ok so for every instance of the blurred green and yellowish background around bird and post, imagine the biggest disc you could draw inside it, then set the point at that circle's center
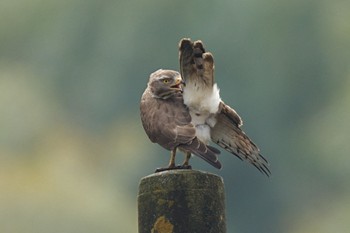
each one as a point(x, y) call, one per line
point(72, 148)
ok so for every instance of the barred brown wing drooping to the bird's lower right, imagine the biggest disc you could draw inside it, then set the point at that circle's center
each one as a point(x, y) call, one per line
point(227, 134)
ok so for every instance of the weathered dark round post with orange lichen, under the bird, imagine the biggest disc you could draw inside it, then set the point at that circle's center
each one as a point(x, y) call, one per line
point(181, 201)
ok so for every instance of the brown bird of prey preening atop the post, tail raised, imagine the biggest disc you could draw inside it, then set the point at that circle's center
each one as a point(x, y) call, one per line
point(188, 113)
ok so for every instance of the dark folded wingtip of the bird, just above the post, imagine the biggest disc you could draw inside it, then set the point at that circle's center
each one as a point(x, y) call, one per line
point(205, 152)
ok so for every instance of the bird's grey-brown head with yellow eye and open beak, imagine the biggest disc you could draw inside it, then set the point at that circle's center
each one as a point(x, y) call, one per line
point(165, 83)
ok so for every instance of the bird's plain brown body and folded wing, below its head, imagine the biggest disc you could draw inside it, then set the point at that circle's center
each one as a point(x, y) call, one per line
point(168, 123)
